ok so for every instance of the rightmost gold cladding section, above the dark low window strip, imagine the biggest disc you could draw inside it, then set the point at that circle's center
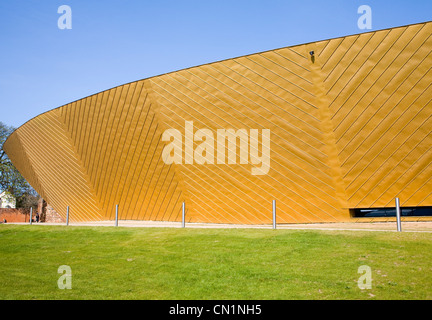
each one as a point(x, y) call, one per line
point(379, 89)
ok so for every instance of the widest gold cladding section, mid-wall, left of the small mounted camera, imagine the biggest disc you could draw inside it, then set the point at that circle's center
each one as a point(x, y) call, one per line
point(252, 92)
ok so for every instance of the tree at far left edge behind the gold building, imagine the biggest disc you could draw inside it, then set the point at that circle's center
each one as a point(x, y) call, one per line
point(10, 178)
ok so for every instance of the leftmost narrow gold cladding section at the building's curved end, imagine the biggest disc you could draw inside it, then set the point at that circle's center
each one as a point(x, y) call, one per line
point(57, 167)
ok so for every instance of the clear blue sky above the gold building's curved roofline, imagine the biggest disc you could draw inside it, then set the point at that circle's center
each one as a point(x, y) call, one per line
point(114, 42)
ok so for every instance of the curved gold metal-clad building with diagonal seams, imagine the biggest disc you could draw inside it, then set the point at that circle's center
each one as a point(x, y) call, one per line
point(322, 128)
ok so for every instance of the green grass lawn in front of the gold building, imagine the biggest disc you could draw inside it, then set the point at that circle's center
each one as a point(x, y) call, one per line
point(171, 263)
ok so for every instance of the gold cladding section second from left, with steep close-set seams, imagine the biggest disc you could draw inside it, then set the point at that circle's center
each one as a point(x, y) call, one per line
point(120, 146)
